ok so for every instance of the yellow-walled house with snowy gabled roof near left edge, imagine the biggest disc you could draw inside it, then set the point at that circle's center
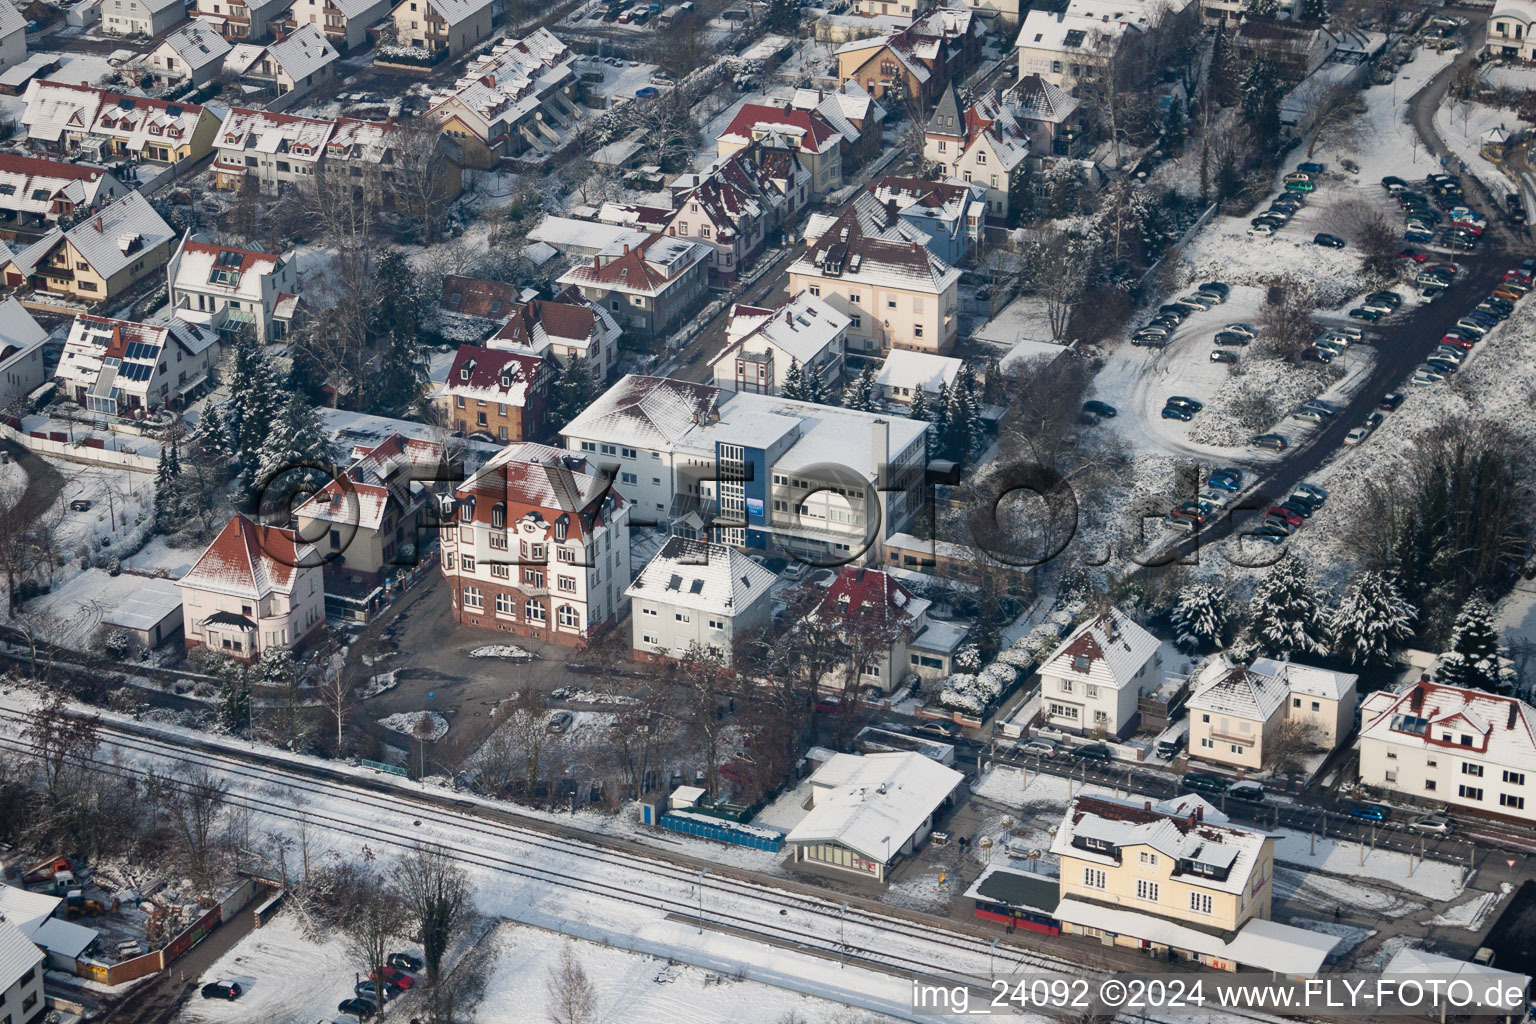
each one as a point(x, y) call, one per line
point(101, 257)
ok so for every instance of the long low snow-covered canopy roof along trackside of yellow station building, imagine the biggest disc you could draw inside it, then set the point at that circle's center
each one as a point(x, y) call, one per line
point(1279, 948)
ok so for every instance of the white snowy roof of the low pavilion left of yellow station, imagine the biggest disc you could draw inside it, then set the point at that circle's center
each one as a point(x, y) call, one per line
point(876, 802)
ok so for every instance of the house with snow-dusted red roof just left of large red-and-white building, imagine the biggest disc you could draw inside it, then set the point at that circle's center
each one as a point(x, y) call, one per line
point(372, 520)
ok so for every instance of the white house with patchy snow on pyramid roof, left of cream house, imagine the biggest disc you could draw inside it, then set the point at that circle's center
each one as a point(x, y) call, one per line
point(1091, 684)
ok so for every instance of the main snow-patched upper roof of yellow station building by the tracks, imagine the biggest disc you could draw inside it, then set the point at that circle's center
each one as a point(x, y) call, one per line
point(1097, 830)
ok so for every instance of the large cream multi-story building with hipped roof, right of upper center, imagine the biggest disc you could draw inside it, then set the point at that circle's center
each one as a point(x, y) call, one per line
point(895, 292)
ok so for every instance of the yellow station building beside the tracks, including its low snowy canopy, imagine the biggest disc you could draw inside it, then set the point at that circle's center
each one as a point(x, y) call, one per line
point(1177, 879)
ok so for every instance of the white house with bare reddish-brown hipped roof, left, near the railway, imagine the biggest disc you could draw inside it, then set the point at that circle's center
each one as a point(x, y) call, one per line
point(256, 589)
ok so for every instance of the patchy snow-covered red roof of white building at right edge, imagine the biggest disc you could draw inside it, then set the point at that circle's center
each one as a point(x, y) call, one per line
point(1431, 716)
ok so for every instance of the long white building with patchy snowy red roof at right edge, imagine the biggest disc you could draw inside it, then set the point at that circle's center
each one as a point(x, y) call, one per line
point(1466, 748)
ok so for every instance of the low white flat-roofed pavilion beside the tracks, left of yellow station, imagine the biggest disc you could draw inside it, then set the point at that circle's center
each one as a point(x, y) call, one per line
point(869, 811)
